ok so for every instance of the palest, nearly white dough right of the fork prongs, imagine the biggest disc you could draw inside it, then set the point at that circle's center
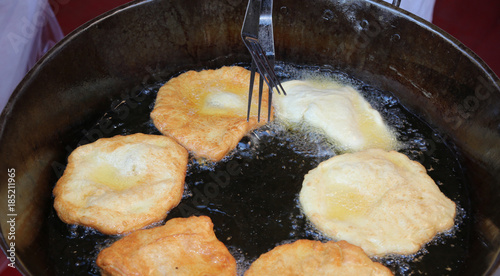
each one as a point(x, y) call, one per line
point(338, 111)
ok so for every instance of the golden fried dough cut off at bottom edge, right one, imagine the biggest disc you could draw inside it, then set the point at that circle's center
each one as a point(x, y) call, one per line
point(306, 257)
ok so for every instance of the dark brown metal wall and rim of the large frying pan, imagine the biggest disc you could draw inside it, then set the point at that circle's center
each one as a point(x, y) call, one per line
point(105, 62)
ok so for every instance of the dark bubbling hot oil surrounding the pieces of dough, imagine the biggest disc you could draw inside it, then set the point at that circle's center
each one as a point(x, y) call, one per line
point(252, 194)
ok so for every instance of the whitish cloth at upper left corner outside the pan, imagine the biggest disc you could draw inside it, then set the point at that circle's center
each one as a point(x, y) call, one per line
point(28, 29)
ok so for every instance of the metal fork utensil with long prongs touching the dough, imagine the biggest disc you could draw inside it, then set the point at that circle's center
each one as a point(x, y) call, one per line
point(257, 34)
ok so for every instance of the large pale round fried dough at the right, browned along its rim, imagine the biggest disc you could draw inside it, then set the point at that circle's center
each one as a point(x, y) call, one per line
point(378, 200)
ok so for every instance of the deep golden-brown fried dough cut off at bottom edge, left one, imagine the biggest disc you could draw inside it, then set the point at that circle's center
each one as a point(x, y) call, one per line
point(183, 246)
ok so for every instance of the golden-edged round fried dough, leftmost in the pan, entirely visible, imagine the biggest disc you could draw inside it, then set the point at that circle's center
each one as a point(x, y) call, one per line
point(123, 183)
